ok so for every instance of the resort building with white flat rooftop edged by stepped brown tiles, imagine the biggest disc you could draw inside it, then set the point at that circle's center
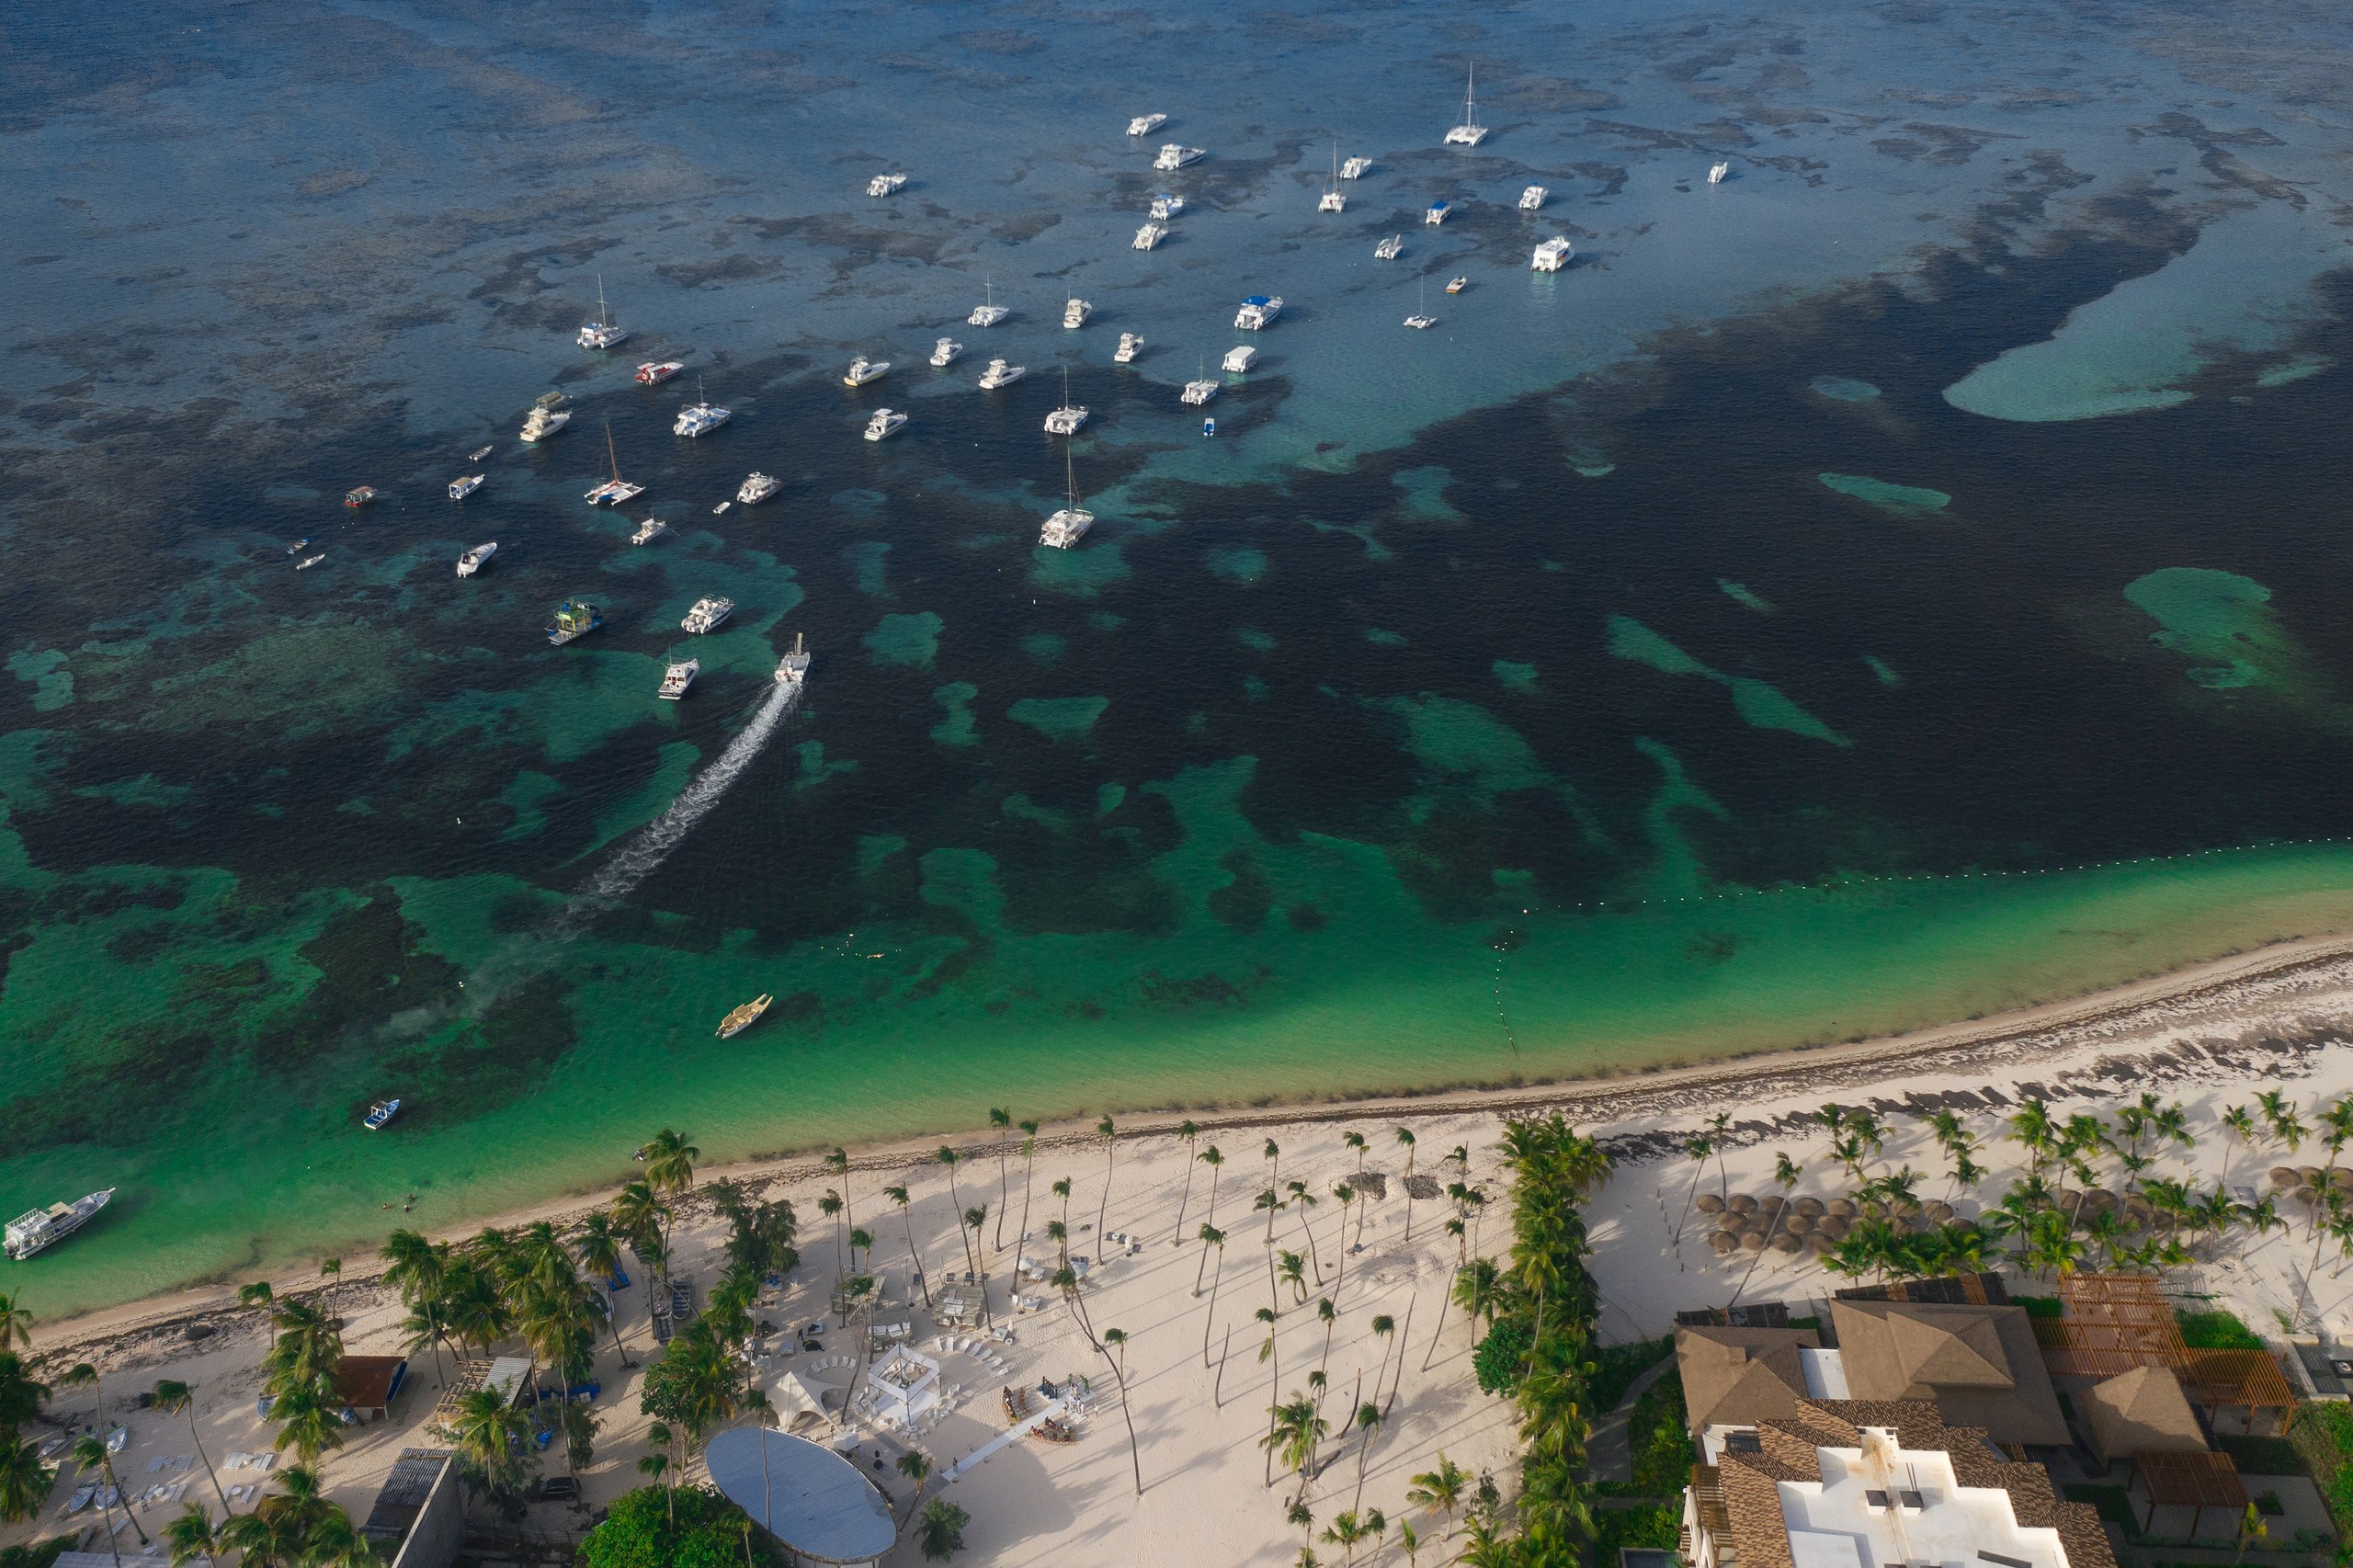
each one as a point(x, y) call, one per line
point(1865, 1484)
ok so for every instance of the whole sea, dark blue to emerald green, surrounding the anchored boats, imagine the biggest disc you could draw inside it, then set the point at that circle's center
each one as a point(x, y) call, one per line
point(1804, 618)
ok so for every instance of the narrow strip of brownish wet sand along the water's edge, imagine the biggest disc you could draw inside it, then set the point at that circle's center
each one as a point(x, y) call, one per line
point(2241, 992)
